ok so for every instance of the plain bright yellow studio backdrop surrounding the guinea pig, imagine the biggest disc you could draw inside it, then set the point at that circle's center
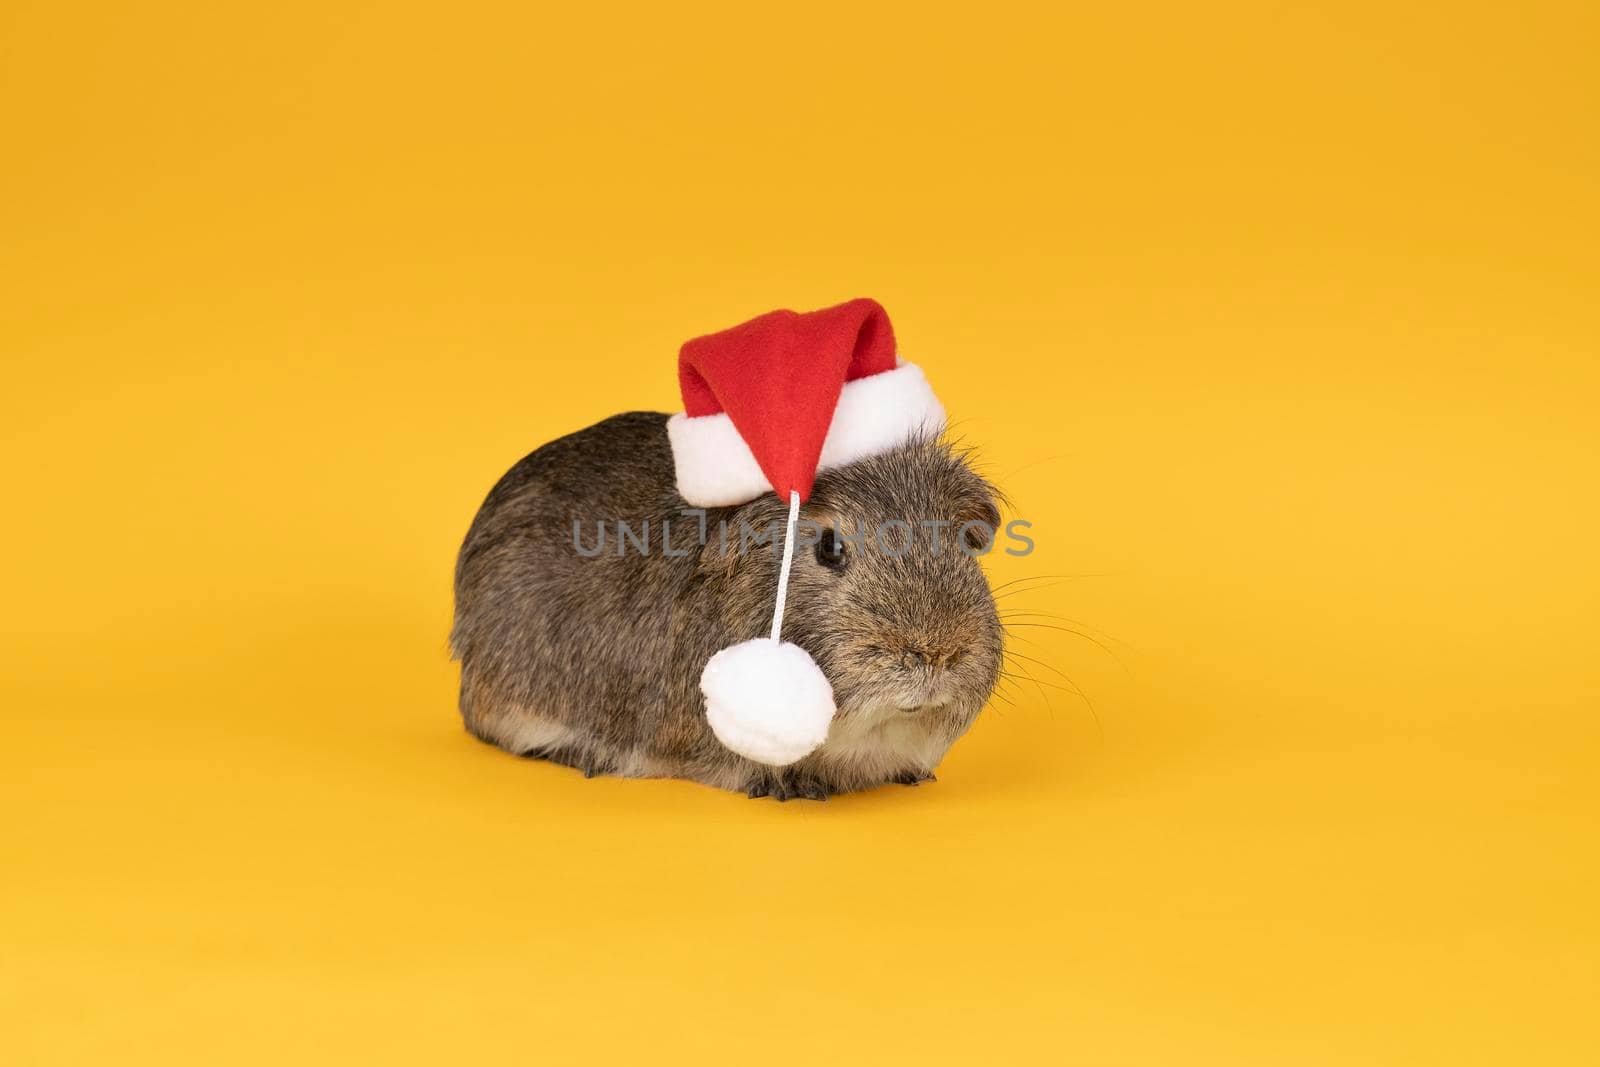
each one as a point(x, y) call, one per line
point(1276, 321)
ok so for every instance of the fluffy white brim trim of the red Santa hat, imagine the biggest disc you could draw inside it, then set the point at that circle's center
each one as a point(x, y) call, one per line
point(718, 470)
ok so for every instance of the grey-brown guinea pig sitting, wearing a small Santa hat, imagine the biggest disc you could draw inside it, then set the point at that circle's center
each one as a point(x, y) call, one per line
point(594, 660)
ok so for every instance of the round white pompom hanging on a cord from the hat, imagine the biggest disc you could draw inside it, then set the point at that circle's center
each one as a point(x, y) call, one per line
point(769, 701)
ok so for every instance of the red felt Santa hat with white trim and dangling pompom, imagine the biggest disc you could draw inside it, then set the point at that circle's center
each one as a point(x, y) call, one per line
point(767, 406)
